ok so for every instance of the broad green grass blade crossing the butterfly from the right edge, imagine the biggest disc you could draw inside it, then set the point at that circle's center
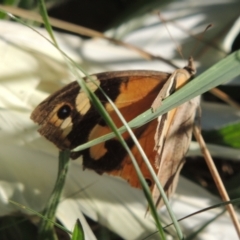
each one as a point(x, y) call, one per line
point(221, 72)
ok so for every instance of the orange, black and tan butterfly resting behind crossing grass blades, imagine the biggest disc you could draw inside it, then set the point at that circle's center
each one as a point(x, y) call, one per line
point(68, 119)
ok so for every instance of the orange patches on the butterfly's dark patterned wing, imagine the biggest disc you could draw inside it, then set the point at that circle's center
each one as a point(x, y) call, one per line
point(135, 97)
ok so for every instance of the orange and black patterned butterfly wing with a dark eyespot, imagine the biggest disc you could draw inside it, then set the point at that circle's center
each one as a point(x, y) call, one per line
point(68, 119)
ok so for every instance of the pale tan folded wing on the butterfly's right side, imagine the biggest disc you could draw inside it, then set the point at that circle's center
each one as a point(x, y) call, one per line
point(173, 135)
